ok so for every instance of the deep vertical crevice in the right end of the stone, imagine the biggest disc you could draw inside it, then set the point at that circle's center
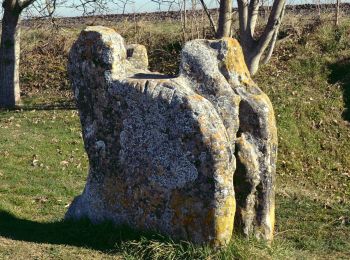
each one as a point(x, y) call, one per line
point(246, 177)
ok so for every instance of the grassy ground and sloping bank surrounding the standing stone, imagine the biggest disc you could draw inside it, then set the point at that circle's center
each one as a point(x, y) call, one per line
point(43, 164)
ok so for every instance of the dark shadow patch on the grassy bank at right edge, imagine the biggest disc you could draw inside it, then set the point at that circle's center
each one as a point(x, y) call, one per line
point(340, 73)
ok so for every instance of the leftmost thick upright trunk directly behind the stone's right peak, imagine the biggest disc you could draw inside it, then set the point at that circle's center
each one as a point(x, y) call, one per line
point(225, 19)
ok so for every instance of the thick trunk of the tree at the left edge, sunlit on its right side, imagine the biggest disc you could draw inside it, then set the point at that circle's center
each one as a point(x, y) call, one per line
point(9, 60)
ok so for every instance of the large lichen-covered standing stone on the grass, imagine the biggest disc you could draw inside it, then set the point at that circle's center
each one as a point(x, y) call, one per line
point(191, 157)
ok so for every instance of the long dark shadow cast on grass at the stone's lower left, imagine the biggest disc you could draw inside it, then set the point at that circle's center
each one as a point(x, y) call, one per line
point(103, 237)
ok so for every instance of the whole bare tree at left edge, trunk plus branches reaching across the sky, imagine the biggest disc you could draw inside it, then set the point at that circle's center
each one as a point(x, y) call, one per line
point(10, 39)
